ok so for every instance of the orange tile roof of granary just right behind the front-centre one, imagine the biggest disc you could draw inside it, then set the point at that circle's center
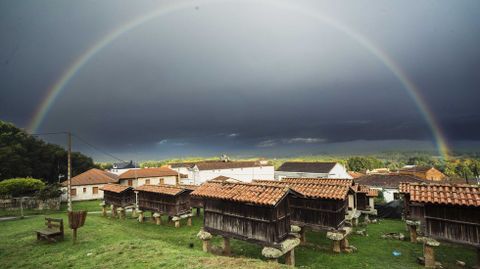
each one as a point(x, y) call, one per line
point(311, 189)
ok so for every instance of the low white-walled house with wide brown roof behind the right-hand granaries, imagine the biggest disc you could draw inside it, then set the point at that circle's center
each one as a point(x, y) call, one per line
point(387, 183)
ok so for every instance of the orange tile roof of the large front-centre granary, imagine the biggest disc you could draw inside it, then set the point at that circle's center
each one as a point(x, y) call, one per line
point(242, 192)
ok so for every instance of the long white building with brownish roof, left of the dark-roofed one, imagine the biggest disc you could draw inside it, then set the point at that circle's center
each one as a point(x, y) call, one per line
point(244, 171)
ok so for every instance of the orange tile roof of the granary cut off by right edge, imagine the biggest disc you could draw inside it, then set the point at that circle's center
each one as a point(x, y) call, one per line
point(465, 195)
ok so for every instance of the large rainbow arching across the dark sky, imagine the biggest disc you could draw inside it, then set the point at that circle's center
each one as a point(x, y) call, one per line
point(60, 85)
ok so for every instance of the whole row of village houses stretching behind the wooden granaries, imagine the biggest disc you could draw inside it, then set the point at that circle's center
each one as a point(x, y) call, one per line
point(88, 185)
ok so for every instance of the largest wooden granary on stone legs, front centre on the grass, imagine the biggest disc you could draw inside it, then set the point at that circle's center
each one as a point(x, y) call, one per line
point(250, 212)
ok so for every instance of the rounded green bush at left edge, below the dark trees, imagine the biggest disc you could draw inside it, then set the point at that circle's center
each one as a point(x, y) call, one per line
point(21, 186)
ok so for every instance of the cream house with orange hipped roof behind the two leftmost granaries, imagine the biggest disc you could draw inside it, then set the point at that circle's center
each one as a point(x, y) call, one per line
point(151, 176)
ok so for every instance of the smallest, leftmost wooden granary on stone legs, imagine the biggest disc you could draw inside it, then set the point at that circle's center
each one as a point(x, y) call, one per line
point(119, 197)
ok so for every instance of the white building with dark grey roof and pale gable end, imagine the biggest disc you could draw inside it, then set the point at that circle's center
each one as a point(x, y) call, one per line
point(311, 170)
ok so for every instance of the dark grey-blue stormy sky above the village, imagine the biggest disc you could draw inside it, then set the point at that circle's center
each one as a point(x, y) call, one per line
point(244, 77)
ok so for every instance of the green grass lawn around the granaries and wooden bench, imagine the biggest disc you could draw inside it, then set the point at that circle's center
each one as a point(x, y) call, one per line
point(109, 243)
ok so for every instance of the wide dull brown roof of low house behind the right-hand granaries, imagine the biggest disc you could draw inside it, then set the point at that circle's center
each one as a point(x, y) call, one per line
point(387, 181)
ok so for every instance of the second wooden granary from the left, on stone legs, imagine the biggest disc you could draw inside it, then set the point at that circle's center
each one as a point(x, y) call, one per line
point(173, 201)
